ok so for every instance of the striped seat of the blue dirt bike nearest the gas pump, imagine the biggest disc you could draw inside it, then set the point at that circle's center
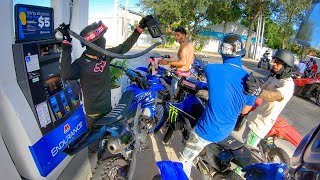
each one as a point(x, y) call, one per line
point(119, 112)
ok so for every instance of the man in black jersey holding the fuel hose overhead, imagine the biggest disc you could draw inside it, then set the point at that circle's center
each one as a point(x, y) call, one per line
point(92, 68)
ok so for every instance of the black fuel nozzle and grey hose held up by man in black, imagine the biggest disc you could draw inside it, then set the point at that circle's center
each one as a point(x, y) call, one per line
point(153, 27)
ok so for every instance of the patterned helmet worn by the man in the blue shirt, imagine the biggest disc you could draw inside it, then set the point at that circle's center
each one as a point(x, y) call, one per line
point(231, 46)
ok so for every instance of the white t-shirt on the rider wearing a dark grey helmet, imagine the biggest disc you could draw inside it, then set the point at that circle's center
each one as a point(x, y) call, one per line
point(264, 116)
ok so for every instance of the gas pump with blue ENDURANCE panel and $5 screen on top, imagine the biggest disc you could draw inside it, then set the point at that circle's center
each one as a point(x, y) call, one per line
point(58, 117)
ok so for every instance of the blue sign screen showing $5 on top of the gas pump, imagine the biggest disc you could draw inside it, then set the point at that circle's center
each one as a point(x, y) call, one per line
point(33, 23)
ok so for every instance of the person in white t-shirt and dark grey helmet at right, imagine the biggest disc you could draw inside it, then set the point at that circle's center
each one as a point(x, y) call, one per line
point(275, 92)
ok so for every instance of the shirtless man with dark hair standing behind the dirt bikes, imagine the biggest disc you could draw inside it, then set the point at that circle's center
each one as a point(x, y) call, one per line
point(185, 57)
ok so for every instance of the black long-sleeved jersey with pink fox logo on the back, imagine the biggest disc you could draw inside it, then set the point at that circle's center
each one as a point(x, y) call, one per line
point(94, 75)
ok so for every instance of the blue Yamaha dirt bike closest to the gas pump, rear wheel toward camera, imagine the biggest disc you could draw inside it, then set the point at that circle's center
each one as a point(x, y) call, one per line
point(125, 128)
